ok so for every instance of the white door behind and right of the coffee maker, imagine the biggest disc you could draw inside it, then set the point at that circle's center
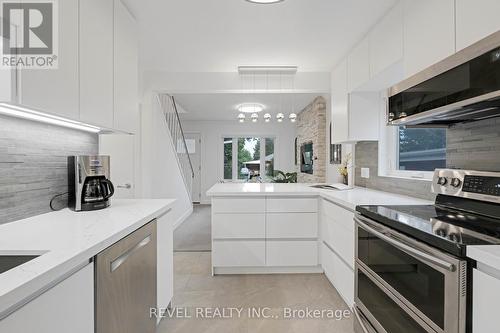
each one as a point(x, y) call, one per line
point(121, 150)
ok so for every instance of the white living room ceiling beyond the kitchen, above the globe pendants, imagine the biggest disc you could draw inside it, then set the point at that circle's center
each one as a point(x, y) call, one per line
point(224, 106)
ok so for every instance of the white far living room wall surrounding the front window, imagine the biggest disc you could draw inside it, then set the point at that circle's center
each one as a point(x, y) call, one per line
point(212, 133)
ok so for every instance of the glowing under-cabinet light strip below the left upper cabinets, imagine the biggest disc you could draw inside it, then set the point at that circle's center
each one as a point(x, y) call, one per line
point(26, 113)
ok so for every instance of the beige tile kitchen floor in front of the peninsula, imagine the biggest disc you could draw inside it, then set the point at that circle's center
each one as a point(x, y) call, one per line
point(195, 287)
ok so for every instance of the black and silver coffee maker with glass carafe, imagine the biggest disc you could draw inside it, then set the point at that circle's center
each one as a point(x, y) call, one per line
point(88, 182)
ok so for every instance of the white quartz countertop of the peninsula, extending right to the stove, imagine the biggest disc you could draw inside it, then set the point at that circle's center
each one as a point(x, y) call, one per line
point(347, 198)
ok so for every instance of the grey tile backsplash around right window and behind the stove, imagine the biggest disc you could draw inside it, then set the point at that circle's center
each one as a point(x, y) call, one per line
point(474, 146)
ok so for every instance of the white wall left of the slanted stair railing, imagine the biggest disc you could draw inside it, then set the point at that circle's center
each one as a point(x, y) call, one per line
point(161, 175)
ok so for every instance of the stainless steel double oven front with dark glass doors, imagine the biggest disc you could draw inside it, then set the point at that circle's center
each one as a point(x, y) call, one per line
point(403, 285)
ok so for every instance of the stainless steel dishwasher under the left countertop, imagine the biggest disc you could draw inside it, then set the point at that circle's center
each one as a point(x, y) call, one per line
point(126, 284)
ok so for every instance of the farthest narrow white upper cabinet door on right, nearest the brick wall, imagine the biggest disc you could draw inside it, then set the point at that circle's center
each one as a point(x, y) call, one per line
point(340, 104)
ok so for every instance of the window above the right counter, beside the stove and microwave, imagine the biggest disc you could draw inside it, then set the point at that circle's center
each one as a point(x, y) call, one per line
point(421, 149)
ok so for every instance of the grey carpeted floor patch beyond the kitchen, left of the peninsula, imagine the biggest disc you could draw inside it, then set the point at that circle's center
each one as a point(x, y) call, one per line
point(195, 233)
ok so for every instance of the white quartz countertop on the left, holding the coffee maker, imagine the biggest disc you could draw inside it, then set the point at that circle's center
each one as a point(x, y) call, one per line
point(67, 239)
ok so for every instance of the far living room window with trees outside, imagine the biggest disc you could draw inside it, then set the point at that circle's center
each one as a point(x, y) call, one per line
point(248, 157)
